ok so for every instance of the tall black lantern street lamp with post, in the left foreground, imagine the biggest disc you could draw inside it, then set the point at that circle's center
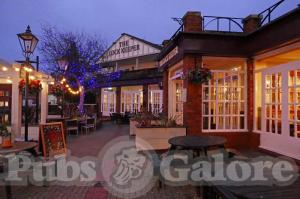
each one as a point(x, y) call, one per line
point(28, 43)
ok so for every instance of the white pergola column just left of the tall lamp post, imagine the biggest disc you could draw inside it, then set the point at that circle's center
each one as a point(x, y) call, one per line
point(16, 108)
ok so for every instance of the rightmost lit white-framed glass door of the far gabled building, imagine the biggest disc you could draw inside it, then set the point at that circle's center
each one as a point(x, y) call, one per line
point(155, 101)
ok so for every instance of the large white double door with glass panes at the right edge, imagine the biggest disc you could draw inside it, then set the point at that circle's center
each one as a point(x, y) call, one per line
point(281, 109)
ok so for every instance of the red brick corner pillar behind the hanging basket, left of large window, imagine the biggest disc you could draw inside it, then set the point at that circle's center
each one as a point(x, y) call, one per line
point(192, 108)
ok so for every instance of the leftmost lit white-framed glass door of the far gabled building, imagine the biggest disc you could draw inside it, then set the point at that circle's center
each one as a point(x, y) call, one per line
point(108, 103)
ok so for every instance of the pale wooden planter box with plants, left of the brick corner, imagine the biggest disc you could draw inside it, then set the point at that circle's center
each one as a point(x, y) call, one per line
point(157, 137)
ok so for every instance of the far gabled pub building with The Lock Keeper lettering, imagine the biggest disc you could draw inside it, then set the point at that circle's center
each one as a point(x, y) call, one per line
point(134, 79)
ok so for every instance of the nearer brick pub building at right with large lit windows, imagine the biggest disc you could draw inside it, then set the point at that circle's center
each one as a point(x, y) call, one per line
point(253, 96)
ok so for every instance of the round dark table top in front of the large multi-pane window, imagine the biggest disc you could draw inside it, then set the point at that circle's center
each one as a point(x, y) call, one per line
point(197, 143)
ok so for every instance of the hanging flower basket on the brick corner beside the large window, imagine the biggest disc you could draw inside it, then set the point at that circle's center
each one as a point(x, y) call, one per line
point(200, 75)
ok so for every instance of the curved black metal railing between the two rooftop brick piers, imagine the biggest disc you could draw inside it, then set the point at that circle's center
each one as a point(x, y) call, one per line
point(224, 24)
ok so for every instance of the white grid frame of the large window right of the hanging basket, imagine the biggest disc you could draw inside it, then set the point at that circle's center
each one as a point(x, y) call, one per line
point(209, 115)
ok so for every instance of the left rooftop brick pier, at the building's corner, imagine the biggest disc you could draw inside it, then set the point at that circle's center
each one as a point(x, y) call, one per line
point(192, 22)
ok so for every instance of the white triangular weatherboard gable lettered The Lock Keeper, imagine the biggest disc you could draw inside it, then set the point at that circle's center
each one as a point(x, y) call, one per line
point(127, 47)
